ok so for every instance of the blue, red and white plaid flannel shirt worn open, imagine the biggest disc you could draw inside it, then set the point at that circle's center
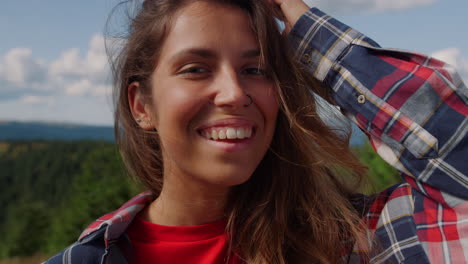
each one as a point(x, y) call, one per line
point(414, 110)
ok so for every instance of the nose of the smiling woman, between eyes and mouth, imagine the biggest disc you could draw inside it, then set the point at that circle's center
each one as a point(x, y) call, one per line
point(230, 91)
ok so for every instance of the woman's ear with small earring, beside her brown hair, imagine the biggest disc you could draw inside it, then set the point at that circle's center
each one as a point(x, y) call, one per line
point(140, 110)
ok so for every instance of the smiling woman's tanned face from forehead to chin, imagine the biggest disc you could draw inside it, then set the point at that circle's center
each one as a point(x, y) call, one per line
point(208, 63)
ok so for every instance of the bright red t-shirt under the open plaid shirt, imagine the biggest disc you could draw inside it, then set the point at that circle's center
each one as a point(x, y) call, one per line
point(179, 244)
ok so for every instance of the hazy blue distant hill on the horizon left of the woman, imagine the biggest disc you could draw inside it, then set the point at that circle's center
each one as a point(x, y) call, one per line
point(12, 130)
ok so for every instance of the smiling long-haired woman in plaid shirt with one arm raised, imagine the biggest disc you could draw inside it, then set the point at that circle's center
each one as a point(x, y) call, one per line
point(216, 117)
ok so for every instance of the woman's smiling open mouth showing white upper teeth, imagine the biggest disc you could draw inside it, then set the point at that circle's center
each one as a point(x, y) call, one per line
point(227, 134)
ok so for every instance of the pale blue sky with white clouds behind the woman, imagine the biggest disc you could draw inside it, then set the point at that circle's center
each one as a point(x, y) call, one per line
point(53, 65)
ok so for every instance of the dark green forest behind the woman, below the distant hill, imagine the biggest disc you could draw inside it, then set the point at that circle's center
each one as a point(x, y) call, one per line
point(51, 190)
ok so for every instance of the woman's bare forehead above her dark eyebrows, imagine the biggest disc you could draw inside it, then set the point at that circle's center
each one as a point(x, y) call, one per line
point(209, 25)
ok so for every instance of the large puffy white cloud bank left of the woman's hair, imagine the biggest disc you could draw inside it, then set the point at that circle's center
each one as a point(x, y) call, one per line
point(71, 73)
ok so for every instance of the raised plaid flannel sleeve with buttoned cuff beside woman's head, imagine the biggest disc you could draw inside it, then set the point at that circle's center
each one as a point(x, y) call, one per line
point(412, 107)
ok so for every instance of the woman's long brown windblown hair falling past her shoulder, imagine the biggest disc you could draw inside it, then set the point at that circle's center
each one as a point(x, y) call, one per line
point(296, 206)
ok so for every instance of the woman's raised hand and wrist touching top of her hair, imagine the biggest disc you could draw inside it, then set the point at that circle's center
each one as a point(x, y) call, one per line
point(289, 11)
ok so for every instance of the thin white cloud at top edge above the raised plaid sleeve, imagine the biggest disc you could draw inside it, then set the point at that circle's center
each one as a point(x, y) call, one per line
point(353, 6)
